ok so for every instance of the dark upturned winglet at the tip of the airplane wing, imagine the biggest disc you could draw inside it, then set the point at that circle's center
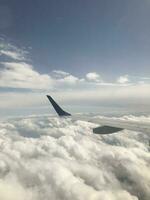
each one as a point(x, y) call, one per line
point(57, 108)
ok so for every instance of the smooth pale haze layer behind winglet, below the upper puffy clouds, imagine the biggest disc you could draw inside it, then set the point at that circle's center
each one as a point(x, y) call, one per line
point(133, 98)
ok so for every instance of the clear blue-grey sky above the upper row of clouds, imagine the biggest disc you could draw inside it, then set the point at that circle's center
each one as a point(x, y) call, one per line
point(110, 37)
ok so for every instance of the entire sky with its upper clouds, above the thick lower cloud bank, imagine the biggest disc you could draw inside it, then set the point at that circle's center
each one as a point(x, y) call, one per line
point(85, 53)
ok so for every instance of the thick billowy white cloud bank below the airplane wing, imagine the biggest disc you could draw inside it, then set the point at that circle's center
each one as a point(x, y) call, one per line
point(44, 158)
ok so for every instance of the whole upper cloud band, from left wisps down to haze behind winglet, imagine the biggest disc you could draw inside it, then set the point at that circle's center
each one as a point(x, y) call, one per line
point(18, 76)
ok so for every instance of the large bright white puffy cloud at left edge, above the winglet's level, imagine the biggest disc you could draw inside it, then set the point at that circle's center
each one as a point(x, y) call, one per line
point(22, 75)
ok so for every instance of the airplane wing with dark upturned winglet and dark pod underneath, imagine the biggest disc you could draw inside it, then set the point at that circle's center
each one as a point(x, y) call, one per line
point(107, 125)
